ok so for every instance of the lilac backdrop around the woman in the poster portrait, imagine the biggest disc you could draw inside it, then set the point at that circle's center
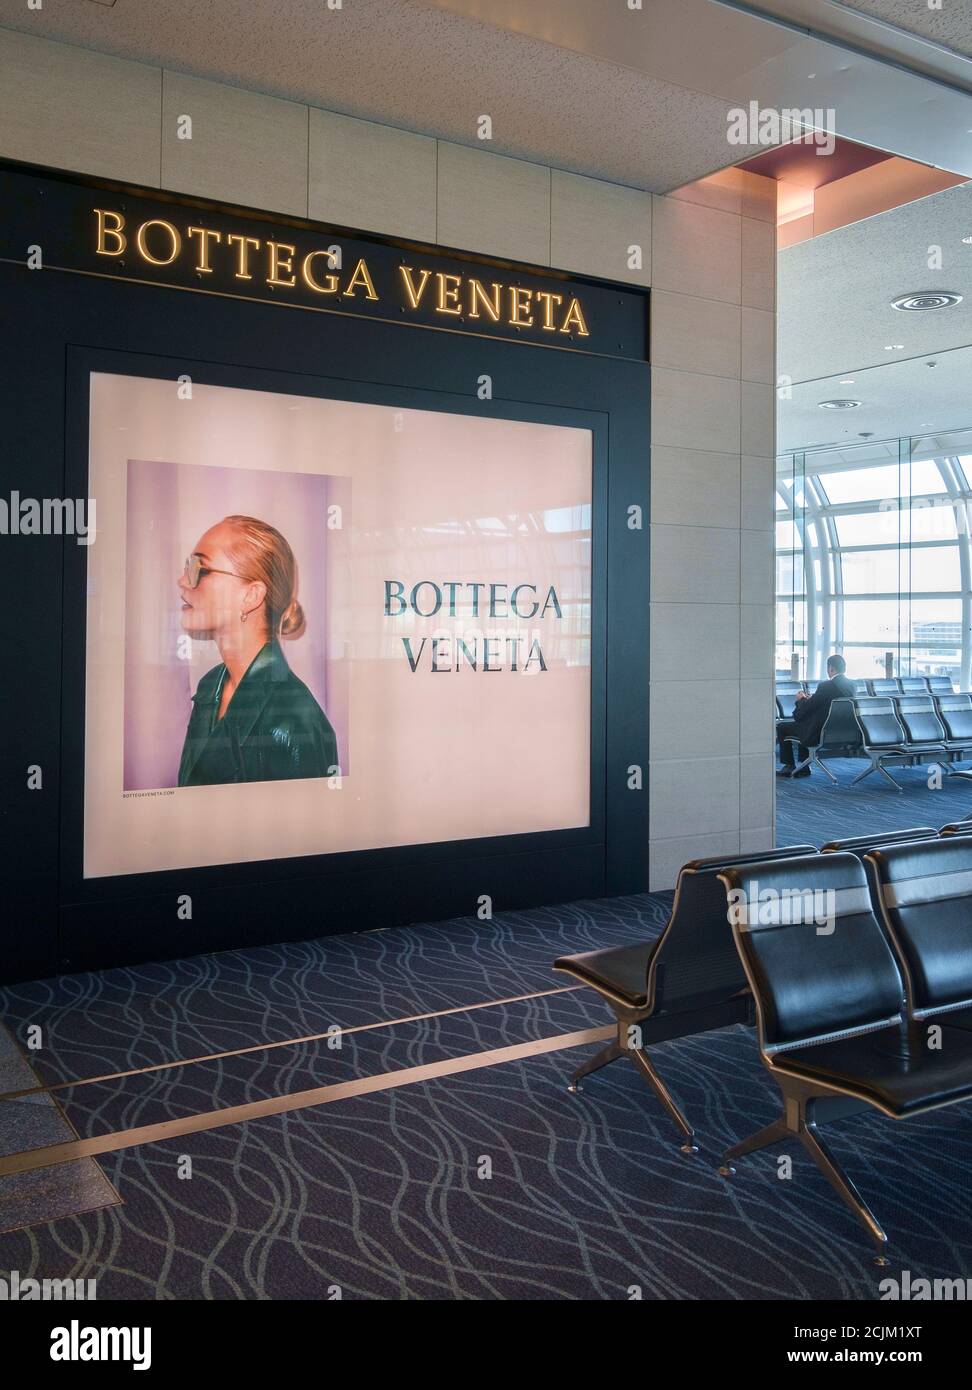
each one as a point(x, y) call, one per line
point(170, 505)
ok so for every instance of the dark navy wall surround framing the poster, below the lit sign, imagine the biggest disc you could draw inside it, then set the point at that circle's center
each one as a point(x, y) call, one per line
point(60, 327)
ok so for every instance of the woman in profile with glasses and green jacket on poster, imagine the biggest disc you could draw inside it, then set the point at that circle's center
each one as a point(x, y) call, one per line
point(252, 719)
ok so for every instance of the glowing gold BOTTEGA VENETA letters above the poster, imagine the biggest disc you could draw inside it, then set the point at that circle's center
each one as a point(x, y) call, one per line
point(283, 265)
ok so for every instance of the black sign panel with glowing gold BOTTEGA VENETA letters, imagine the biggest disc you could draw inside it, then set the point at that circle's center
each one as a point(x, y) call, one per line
point(173, 245)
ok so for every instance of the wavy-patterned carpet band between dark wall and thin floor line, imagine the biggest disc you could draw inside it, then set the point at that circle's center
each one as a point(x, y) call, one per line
point(138, 1017)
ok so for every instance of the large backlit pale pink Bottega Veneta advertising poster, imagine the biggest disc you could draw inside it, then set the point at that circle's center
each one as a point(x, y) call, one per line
point(319, 626)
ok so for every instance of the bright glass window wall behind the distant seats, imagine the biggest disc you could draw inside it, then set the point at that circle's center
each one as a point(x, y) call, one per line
point(874, 559)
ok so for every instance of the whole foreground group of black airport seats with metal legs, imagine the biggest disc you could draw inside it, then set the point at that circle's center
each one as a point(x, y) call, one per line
point(853, 961)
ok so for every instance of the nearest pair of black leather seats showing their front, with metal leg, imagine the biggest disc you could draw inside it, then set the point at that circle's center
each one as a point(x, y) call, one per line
point(839, 1028)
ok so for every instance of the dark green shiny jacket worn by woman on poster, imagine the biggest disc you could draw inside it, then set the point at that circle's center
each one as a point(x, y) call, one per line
point(273, 728)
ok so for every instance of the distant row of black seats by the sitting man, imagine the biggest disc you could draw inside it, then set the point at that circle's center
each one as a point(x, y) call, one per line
point(893, 730)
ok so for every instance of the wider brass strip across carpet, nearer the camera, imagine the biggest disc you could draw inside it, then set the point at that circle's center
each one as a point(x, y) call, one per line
point(297, 1102)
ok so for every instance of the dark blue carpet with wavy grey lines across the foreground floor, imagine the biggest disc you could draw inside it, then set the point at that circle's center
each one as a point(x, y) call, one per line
point(496, 1184)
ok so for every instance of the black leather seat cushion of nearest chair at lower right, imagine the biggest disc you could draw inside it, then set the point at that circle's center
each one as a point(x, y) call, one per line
point(885, 1070)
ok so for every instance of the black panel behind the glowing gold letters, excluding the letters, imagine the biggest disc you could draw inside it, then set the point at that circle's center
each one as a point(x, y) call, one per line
point(63, 208)
